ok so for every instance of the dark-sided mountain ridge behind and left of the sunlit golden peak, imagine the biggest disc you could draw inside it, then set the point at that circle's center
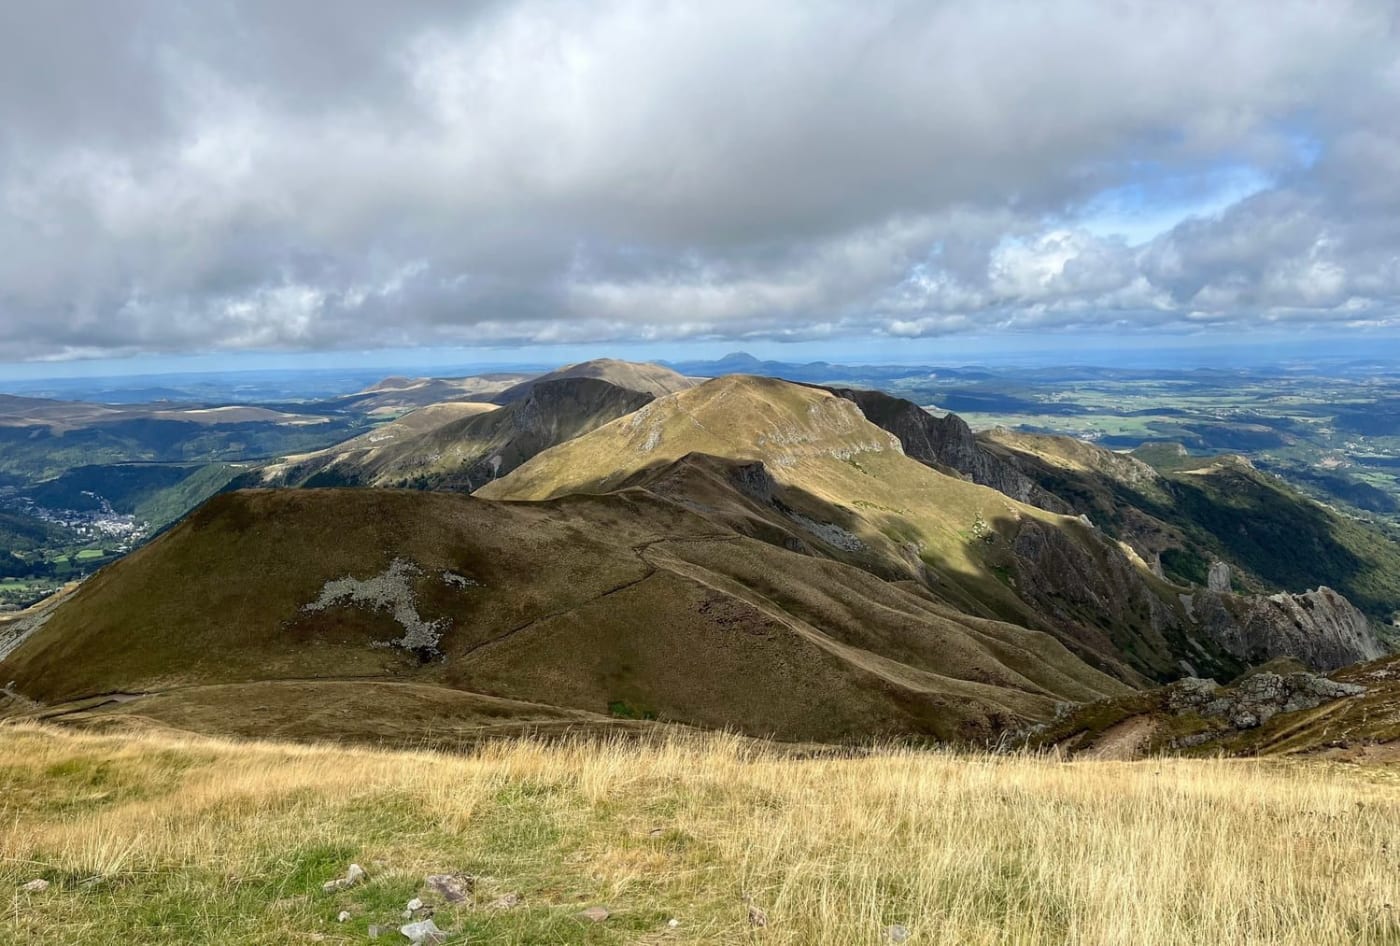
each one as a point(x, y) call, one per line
point(461, 446)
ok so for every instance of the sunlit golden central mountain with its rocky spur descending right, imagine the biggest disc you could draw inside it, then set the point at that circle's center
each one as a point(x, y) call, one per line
point(824, 478)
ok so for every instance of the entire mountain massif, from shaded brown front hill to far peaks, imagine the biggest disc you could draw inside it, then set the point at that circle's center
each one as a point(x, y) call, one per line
point(817, 563)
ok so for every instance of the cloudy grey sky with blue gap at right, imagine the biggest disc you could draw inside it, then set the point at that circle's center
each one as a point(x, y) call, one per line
point(267, 183)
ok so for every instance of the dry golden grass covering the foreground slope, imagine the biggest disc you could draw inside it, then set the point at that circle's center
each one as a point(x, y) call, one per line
point(156, 839)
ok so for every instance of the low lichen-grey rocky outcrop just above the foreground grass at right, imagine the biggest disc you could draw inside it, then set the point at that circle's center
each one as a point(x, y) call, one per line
point(1256, 699)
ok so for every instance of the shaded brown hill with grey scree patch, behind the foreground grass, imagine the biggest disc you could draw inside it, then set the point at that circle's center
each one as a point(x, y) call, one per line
point(624, 605)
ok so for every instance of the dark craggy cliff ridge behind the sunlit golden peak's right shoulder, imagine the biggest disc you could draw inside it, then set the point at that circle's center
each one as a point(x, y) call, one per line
point(948, 442)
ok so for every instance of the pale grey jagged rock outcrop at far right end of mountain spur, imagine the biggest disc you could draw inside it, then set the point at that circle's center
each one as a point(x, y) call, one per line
point(1319, 628)
